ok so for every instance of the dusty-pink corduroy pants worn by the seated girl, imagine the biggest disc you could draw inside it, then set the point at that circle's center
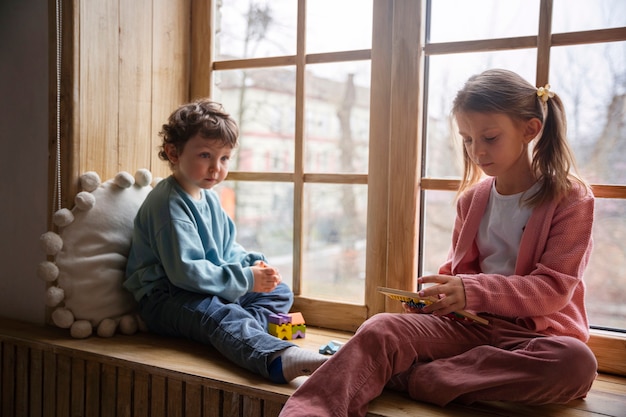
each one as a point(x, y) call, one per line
point(446, 361)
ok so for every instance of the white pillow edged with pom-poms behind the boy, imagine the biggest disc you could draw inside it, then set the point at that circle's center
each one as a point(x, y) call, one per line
point(90, 253)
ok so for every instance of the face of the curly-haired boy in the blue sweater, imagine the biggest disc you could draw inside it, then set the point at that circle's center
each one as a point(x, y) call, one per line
point(202, 164)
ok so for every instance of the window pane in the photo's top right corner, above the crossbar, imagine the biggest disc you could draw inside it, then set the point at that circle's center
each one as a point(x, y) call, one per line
point(579, 15)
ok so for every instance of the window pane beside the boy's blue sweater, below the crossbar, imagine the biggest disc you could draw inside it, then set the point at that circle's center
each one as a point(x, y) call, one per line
point(263, 214)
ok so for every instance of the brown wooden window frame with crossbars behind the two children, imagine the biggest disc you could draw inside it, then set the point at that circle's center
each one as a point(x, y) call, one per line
point(397, 90)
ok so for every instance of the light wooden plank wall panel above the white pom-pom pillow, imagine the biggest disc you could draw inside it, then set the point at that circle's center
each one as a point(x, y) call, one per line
point(129, 70)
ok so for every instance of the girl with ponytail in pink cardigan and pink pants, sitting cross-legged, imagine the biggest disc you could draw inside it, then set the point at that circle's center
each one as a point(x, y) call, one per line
point(521, 241)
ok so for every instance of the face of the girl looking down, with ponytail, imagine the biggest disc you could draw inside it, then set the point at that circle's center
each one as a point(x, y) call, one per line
point(498, 144)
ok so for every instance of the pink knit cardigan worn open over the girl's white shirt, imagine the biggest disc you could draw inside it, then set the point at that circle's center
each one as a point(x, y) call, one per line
point(547, 292)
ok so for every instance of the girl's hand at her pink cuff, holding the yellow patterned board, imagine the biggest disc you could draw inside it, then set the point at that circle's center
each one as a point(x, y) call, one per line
point(450, 291)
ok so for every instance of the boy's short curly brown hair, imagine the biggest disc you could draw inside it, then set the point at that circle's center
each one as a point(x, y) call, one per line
point(204, 117)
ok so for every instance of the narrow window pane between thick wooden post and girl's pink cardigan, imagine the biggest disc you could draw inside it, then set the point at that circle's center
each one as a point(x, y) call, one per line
point(439, 214)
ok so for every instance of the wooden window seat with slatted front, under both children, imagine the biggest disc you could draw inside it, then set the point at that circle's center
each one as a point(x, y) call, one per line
point(44, 372)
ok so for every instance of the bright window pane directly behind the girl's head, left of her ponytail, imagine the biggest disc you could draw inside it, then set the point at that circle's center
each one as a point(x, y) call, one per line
point(447, 74)
